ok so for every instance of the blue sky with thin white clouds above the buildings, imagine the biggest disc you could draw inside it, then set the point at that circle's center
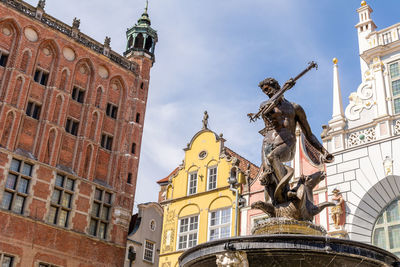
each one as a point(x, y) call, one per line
point(211, 56)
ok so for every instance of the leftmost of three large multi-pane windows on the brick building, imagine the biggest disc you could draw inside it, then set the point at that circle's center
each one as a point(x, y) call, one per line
point(17, 186)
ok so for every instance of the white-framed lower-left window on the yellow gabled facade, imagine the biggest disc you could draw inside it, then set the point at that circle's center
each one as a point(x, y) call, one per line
point(188, 228)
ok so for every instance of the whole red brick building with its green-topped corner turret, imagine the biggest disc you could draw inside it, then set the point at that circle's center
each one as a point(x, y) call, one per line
point(71, 123)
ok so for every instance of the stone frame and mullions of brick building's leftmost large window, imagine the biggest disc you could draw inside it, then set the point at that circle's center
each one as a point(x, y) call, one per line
point(16, 190)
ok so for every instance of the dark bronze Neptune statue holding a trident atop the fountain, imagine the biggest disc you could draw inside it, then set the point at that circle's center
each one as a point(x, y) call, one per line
point(281, 118)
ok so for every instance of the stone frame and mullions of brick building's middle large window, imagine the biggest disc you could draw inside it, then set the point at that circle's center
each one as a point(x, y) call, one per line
point(60, 207)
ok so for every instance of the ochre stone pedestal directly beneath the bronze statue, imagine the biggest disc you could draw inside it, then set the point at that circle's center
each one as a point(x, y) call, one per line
point(287, 226)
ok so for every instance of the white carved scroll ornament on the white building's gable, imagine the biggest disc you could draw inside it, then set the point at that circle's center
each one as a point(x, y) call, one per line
point(362, 99)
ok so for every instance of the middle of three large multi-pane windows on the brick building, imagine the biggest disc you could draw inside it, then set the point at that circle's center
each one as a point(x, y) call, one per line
point(61, 200)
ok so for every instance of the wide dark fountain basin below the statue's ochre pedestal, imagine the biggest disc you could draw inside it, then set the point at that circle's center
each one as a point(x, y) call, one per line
point(286, 251)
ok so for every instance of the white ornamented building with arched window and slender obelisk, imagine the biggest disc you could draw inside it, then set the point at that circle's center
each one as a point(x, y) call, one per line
point(365, 139)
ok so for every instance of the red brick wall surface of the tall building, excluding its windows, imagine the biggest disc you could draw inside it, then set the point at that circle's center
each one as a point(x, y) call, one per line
point(30, 237)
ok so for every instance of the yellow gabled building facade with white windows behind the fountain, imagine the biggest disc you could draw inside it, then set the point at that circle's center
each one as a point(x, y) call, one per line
point(199, 204)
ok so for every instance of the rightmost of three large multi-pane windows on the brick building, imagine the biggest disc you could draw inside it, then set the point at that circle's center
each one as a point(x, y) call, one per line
point(101, 211)
